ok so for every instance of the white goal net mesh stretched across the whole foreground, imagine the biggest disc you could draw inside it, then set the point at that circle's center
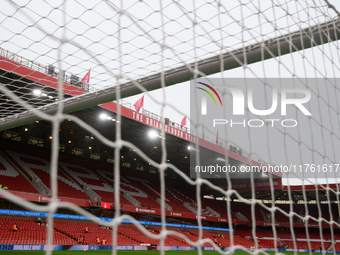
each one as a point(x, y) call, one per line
point(136, 46)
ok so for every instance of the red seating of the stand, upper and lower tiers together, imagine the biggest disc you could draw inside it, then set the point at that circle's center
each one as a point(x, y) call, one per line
point(18, 170)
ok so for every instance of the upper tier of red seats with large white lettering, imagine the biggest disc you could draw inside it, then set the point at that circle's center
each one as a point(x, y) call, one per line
point(17, 170)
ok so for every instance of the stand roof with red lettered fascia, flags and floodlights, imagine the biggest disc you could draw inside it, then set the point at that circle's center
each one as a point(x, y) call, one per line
point(37, 85)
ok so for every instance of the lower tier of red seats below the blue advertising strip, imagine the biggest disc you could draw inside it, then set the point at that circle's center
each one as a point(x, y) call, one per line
point(67, 233)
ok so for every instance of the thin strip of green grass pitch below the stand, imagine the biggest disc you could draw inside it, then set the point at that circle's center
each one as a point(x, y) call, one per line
point(131, 252)
